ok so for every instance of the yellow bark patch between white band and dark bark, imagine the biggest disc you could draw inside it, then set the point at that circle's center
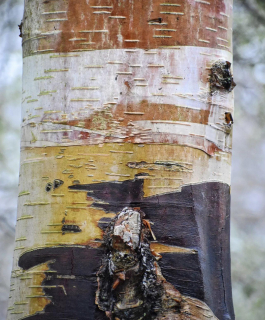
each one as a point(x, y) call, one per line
point(51, 206)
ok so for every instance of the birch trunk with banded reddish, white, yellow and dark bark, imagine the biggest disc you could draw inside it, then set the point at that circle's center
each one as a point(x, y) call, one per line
point(124, 200)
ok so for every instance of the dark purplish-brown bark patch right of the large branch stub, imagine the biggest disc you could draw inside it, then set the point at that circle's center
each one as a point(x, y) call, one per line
point(195, 218)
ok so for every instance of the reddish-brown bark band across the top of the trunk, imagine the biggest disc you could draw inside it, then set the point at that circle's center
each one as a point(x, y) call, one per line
point(71, 26)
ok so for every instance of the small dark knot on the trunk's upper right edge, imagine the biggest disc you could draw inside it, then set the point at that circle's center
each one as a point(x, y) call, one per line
point(221, 77)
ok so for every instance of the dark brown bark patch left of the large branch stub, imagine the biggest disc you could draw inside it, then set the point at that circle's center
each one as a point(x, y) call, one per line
point(74, 268)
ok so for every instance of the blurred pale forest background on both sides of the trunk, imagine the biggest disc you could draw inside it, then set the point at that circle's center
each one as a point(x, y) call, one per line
point(248, 169)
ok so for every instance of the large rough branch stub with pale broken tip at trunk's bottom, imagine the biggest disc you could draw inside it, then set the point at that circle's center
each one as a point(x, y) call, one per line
point(130, 283)
